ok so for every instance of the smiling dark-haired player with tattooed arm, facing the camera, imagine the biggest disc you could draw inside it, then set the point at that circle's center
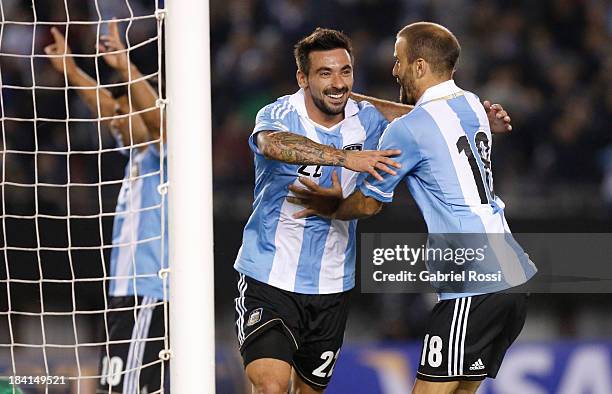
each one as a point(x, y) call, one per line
point(295, 275)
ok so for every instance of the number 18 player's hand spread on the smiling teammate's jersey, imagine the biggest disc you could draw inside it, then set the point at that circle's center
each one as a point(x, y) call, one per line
point(316, 200)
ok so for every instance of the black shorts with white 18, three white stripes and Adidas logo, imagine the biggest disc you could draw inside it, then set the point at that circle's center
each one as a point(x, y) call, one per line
point(467, 338)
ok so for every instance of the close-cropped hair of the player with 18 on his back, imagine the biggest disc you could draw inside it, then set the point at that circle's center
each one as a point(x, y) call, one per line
point(432, 42)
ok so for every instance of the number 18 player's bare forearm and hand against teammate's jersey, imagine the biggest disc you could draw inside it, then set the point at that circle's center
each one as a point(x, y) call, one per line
point(328, 202)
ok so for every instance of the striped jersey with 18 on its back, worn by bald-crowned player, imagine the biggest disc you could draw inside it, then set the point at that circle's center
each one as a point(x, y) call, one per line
point(446, 163)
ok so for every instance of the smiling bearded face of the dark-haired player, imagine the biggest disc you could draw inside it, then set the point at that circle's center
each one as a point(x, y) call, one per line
point(329, 81)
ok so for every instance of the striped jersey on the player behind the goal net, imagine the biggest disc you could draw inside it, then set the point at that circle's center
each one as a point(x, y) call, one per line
point(137, 236)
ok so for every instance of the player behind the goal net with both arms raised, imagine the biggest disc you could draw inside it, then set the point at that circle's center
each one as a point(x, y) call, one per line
point(138, 218)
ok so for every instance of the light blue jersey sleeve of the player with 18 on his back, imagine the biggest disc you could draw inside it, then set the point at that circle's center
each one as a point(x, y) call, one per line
point(396, 136)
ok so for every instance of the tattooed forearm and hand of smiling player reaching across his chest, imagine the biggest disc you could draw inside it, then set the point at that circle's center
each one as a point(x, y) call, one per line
point(296, 149)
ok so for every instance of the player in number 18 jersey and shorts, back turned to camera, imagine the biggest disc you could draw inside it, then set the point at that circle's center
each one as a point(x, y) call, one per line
point(446, 143)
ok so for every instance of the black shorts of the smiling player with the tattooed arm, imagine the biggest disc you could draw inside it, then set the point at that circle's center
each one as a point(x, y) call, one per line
point(311, 328)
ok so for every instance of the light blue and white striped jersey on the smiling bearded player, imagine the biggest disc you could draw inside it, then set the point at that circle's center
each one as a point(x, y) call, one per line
point(313, 255)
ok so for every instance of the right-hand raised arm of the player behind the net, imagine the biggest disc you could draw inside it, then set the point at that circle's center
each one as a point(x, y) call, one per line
point(142, 93)
